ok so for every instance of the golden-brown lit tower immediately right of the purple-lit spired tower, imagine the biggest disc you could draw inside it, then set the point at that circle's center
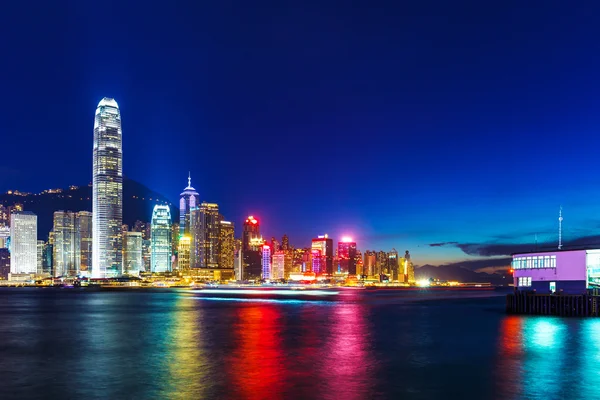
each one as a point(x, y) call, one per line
point(205, 224)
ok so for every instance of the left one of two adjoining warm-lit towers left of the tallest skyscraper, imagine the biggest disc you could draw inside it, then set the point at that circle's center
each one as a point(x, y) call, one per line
point(64, 243)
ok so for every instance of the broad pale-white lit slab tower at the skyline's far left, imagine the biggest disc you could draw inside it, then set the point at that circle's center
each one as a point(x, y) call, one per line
point(23, 236)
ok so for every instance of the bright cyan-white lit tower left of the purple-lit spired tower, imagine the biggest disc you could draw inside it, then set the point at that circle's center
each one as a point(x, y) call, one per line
point(161, 239)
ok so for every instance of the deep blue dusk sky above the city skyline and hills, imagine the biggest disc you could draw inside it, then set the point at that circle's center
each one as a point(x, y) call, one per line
point(402, 124)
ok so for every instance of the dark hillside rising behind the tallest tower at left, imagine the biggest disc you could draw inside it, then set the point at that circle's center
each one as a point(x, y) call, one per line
point(138, 202)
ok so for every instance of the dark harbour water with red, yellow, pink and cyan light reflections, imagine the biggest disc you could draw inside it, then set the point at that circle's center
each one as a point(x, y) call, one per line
point(179, 345)
